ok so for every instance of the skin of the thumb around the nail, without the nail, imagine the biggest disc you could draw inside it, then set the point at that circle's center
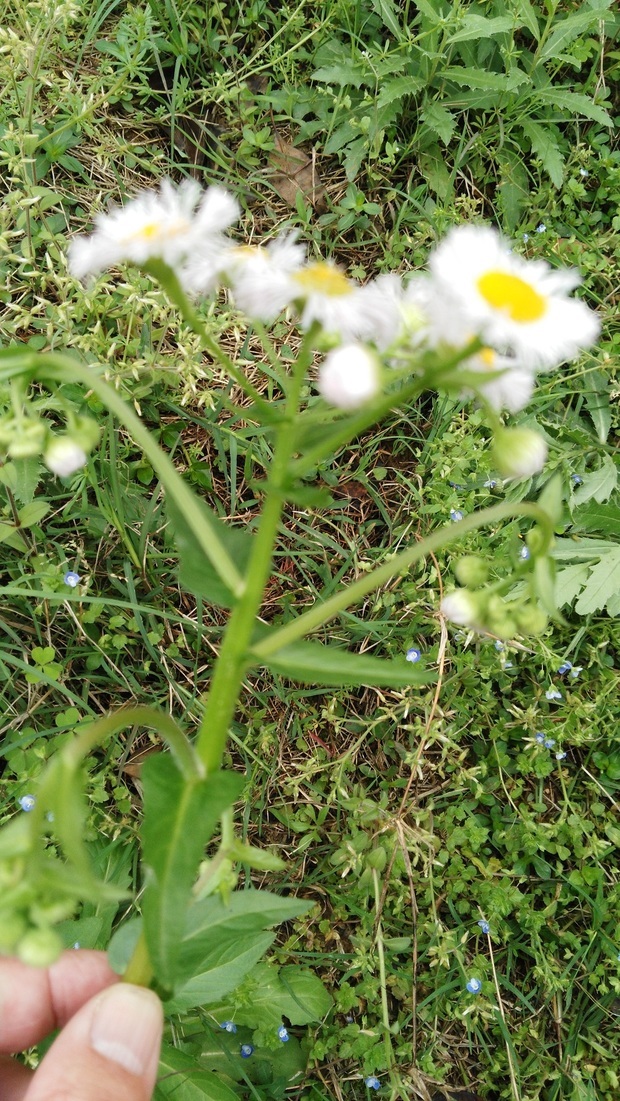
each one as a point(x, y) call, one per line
point(72, 1071)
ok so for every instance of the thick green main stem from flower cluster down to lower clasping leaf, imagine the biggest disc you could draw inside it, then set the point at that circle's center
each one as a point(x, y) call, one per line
point(234, 656)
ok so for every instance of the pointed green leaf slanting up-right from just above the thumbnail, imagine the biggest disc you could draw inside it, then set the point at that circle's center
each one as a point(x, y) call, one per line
point(217, 971)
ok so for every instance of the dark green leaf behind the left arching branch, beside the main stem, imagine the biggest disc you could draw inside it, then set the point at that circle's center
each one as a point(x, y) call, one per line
point(197, 573)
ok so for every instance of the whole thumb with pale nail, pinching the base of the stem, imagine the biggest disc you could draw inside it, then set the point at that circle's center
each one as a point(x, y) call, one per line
point(108, 1051)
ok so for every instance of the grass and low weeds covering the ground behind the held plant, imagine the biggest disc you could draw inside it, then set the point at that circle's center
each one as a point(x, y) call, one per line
point(439, 837)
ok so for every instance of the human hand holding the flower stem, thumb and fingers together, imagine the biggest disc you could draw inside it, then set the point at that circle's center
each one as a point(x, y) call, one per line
point(108, 1049)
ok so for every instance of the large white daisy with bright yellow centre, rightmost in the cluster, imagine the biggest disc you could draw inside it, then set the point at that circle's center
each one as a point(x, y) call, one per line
point(512, 303)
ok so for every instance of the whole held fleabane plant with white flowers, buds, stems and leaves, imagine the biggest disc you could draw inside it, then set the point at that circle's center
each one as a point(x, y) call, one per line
point(481, 323)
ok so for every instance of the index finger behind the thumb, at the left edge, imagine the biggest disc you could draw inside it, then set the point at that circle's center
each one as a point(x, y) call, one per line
point(37, 1001)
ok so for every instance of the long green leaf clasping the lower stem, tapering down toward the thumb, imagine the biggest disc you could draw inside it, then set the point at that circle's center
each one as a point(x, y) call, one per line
point(180, 819)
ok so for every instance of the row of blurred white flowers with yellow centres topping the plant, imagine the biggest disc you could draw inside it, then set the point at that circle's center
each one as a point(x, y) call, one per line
point(476, 289)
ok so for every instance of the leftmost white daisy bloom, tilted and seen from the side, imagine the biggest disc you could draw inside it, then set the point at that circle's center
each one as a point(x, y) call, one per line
point(168, 225)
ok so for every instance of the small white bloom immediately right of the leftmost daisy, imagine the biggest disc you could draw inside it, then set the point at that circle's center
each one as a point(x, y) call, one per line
point(262, 278)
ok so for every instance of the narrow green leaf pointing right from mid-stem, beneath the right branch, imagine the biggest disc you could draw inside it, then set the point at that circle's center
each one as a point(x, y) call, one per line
point(314, 663)
